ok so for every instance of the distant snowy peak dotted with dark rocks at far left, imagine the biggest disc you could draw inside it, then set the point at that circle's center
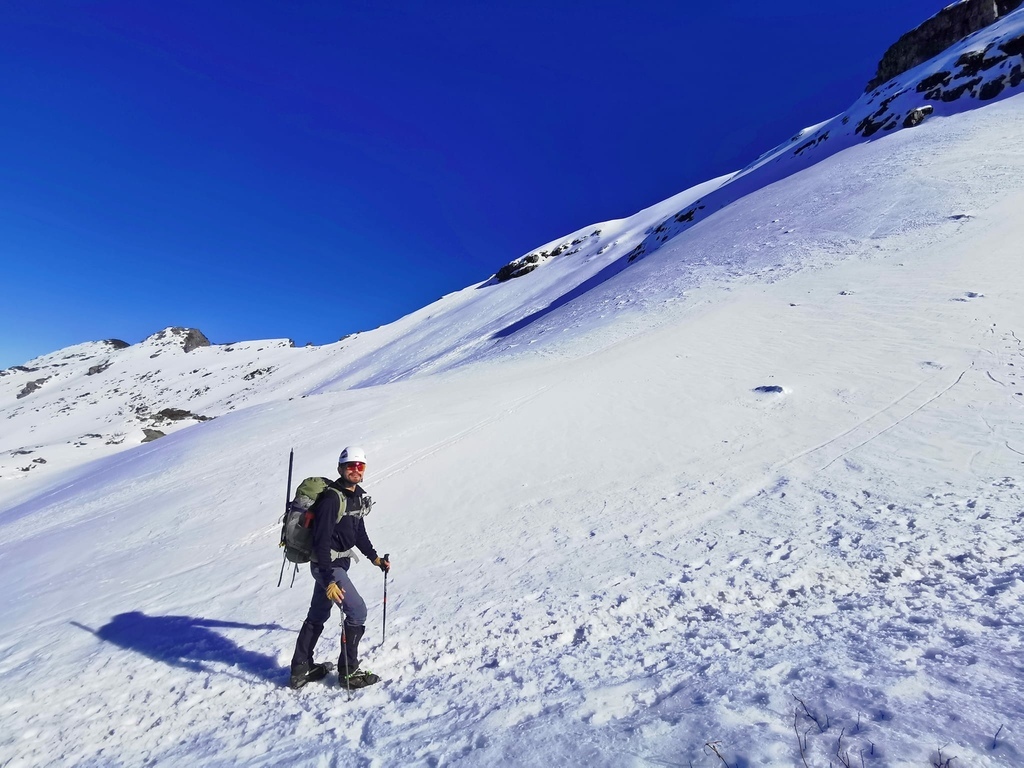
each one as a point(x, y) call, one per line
point(99, 398)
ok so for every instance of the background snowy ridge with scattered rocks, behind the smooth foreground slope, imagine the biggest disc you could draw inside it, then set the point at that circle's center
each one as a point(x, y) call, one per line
point(99, 400)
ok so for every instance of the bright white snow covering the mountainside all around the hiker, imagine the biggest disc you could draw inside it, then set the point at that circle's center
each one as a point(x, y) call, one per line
point(754, 499)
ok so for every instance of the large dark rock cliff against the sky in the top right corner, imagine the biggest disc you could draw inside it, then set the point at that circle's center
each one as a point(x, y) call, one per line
point(938, 33)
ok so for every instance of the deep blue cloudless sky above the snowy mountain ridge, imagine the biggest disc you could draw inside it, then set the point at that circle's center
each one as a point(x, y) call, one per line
point(307, 169)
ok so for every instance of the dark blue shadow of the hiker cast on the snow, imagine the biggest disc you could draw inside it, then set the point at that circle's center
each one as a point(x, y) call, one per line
point(188, 643)
